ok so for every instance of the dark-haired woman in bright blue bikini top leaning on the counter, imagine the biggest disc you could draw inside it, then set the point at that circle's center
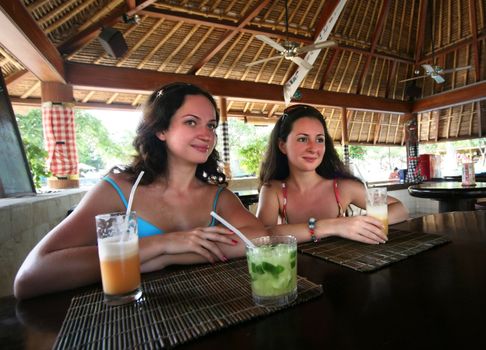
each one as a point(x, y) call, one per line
point(182, 183)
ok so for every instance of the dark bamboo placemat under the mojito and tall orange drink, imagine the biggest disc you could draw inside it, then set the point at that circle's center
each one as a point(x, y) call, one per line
point(177, 307)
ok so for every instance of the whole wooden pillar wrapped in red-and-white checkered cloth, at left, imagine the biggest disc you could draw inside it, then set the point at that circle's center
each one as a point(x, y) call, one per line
point(60, 134)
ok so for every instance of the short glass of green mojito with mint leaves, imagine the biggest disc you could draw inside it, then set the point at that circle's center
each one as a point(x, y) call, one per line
point(272, 264)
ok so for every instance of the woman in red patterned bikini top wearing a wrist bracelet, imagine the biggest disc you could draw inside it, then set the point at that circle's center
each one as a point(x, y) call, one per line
point(306, 189)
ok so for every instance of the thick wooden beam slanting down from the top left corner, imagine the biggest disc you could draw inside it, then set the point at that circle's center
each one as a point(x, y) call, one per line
point(23, 38)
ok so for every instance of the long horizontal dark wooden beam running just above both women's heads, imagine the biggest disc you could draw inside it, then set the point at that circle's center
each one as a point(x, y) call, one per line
point(130, 80)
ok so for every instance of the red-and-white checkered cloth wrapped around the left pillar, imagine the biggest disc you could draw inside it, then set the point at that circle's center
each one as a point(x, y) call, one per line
point(60, 138)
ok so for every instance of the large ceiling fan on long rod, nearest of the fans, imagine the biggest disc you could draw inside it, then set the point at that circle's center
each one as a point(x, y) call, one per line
point(288, 49)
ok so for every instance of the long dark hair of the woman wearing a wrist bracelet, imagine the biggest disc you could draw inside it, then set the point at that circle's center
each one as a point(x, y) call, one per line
point(275, 165)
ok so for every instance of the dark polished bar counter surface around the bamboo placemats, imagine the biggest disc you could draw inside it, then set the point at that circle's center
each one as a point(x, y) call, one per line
point(432, 300)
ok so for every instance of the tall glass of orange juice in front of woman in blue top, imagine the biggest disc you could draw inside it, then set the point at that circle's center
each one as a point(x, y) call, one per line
point(119, 258)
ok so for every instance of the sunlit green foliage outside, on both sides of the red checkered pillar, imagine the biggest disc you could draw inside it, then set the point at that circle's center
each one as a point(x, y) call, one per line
point(94, 143)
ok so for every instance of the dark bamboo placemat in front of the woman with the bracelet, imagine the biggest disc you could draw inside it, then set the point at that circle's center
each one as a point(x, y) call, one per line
point(369, 257)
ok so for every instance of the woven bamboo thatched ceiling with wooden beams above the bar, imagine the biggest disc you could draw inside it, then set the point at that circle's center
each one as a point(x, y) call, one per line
point(357, 84)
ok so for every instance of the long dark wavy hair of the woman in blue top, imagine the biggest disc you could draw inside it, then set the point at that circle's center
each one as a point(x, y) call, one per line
point(151, 155)
